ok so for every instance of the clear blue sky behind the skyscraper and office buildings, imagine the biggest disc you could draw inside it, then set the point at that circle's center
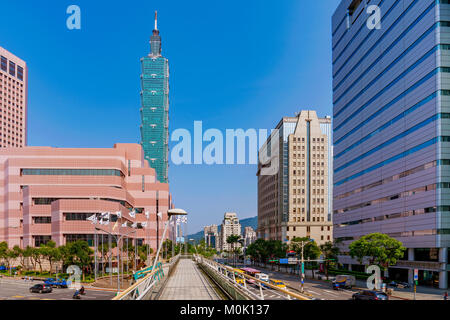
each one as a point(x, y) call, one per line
point(234, 64)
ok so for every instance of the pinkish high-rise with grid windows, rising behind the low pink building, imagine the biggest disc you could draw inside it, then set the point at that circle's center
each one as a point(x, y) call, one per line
point(13, 100)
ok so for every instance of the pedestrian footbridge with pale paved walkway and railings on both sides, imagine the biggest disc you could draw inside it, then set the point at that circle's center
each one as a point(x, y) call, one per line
point(197, 278)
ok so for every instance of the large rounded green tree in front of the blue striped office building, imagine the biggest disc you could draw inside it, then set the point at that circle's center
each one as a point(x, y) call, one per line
point(379, 248)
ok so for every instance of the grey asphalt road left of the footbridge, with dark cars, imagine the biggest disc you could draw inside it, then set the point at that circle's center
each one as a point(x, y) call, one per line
point(20, 290)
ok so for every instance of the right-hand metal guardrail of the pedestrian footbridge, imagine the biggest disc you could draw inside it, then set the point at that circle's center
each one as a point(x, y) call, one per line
point(231, 277)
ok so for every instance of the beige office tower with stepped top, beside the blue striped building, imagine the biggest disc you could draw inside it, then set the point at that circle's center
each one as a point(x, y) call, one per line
point(296, 200)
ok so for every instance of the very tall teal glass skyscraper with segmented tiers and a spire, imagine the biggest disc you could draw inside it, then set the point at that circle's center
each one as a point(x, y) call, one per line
point(155, 107)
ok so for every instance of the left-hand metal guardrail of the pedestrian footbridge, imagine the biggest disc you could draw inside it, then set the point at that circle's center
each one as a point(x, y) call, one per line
point(142, 288)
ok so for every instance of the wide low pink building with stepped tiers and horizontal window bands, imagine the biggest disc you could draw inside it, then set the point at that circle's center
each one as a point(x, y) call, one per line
point(48, 193)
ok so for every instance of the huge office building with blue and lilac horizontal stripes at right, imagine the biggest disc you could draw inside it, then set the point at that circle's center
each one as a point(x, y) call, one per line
point(391, 94)
